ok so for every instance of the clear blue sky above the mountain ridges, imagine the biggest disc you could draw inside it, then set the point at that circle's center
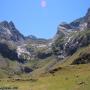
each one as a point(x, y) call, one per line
point(30, 17)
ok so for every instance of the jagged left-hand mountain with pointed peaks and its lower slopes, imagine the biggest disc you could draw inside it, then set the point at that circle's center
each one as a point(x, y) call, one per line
point(17, 51)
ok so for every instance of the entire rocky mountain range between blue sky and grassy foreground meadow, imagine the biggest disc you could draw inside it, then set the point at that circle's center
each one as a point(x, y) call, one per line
point(29, 54)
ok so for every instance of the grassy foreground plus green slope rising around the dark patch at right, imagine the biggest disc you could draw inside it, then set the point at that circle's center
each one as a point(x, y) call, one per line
point(63, 76)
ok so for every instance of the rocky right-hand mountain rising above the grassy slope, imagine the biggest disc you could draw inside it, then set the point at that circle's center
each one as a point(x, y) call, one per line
point(70, 37)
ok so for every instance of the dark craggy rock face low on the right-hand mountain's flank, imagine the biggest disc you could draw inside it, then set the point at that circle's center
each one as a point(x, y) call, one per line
point(76, 42)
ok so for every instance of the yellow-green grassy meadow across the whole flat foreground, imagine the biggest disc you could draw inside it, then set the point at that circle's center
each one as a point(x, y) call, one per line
point(73, 77)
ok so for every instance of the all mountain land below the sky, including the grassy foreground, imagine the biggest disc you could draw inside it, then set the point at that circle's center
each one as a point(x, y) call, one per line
point(63, 60)
